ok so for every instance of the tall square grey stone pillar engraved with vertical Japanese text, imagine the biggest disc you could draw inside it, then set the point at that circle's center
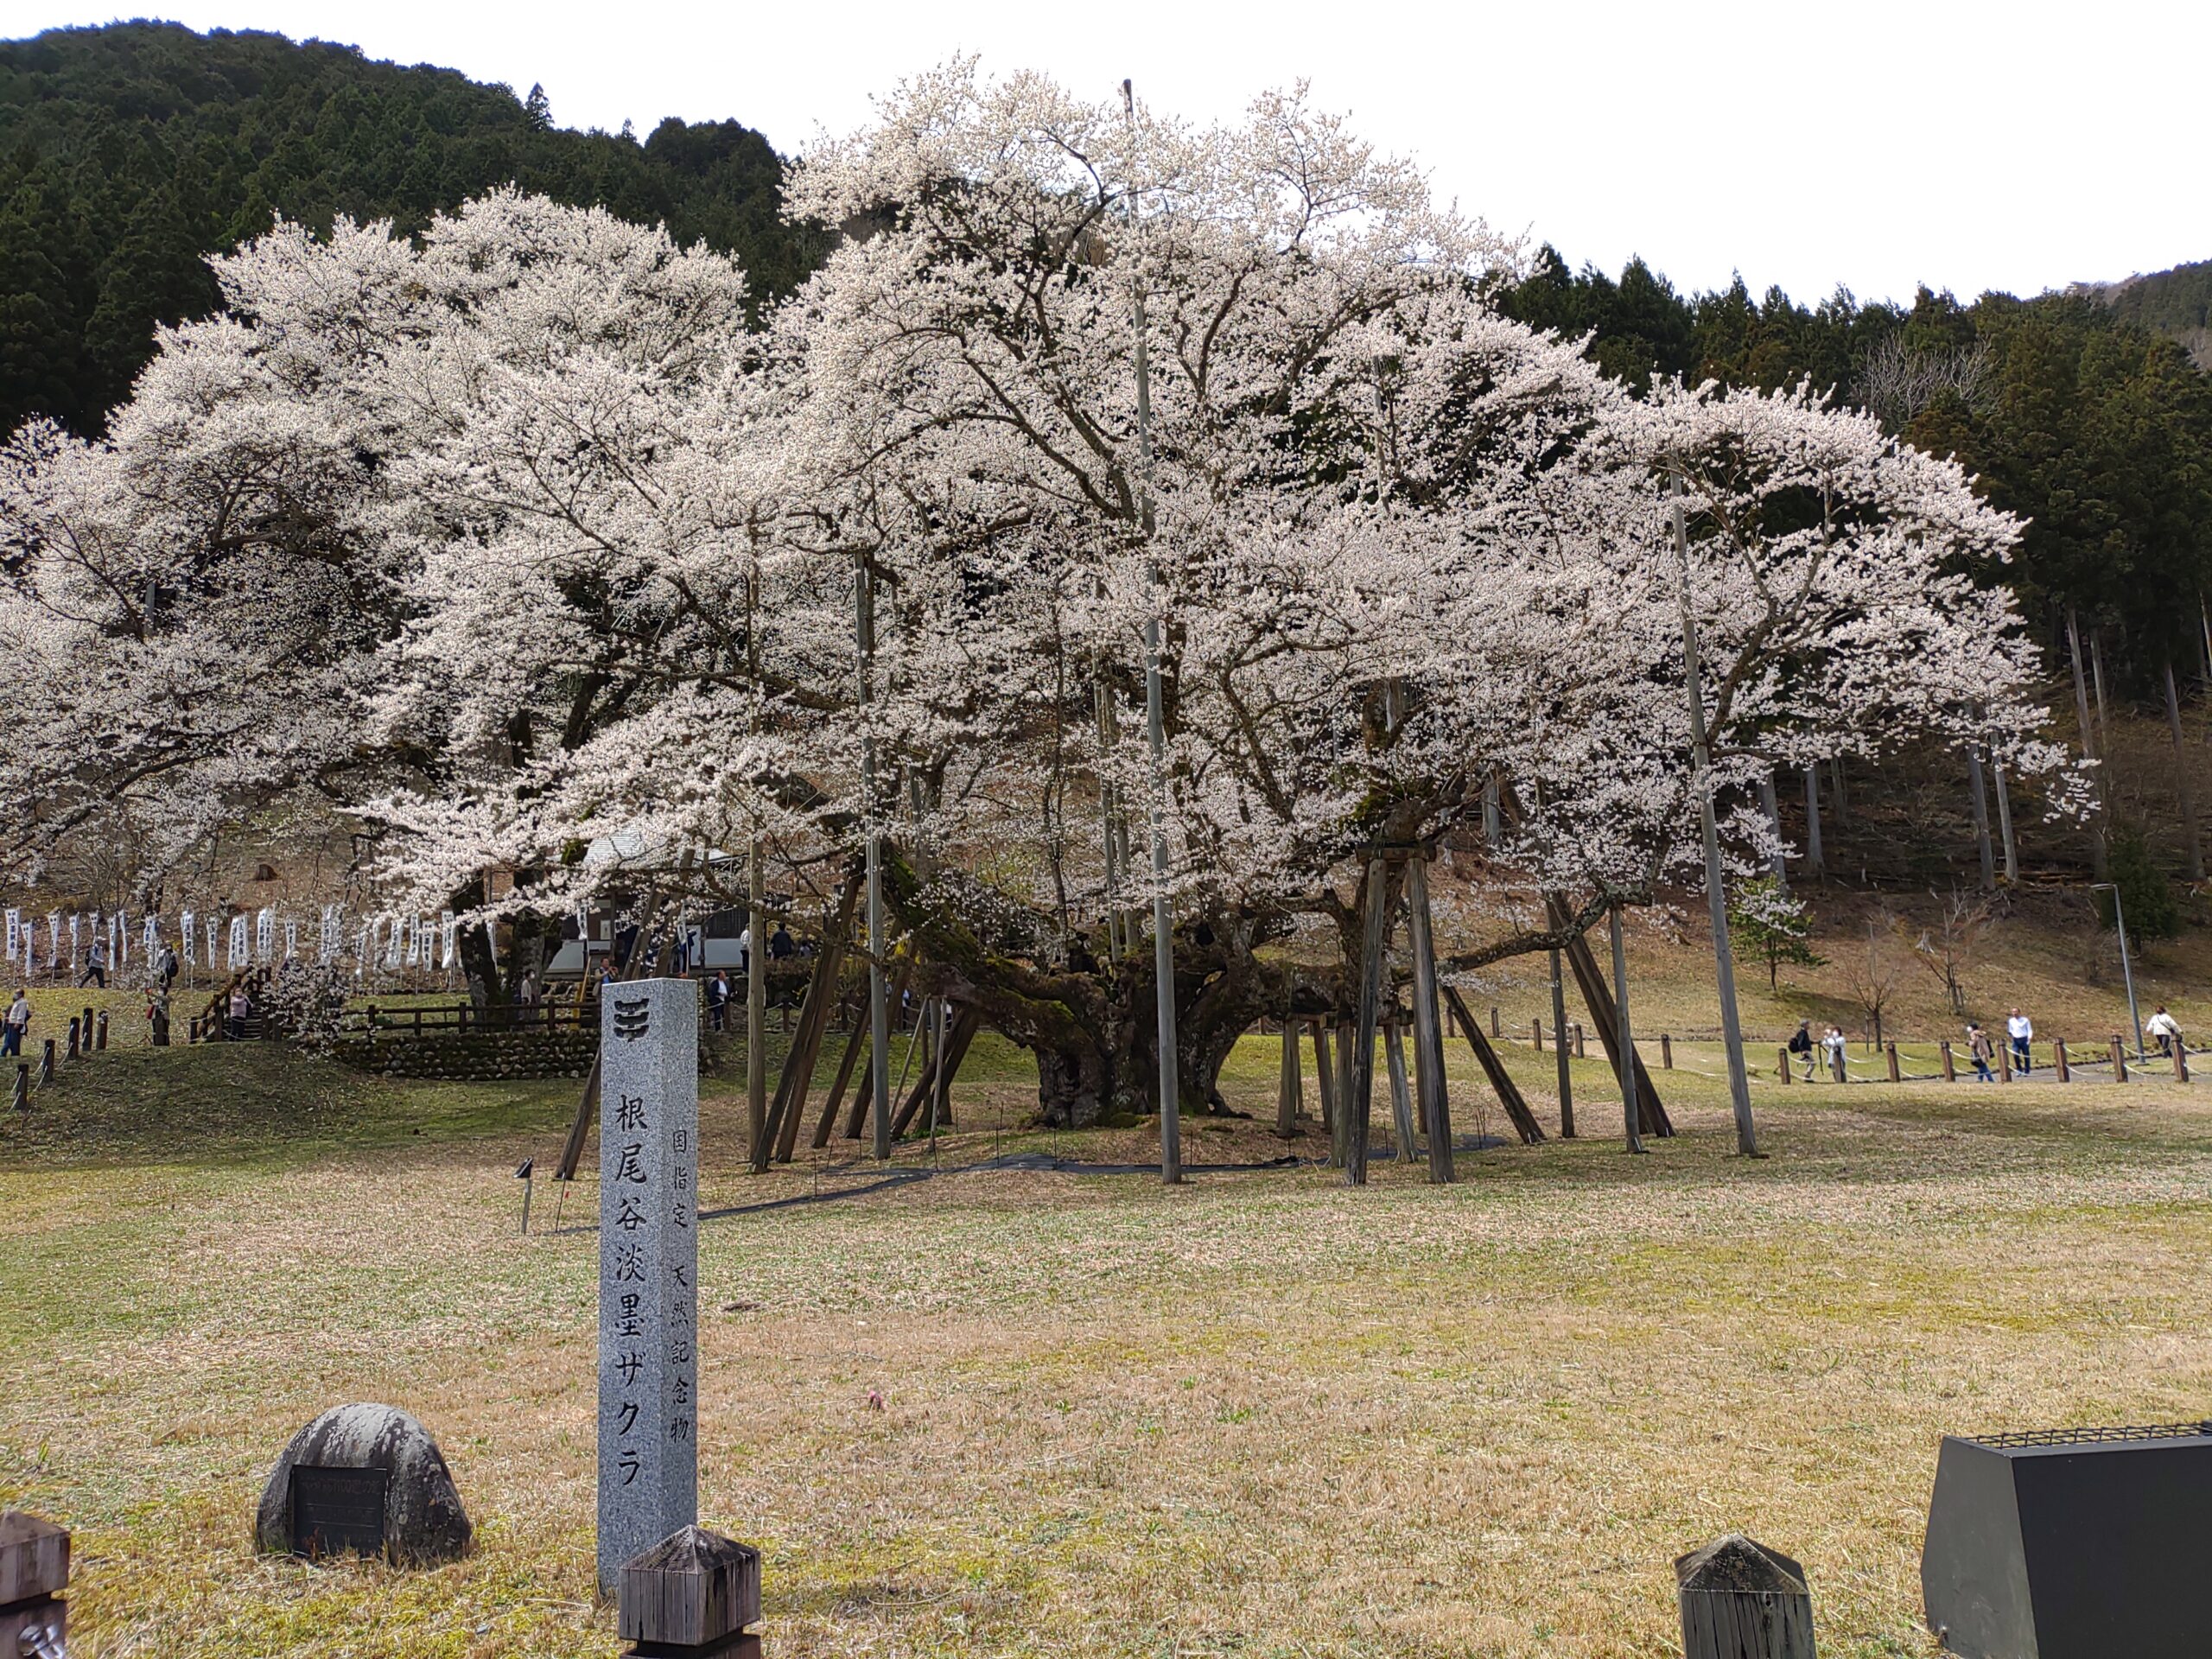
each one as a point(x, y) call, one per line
point(649, 1269)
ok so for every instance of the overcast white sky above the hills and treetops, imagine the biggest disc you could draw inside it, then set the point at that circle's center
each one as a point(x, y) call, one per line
point(1877, 145)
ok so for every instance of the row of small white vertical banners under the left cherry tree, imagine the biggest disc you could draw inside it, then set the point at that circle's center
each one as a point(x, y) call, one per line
point(92, 939)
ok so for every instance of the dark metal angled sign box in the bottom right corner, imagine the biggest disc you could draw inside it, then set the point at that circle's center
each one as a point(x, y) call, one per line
point(2074, 1545)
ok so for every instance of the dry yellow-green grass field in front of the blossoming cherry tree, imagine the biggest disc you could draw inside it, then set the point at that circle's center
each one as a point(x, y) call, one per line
point(1253, 1417)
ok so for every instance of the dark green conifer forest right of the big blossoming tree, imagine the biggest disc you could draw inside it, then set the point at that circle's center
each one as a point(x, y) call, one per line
point(2074, 413)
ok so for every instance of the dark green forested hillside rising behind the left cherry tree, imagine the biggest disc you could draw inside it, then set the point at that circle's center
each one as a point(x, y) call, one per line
point(127, 154)
